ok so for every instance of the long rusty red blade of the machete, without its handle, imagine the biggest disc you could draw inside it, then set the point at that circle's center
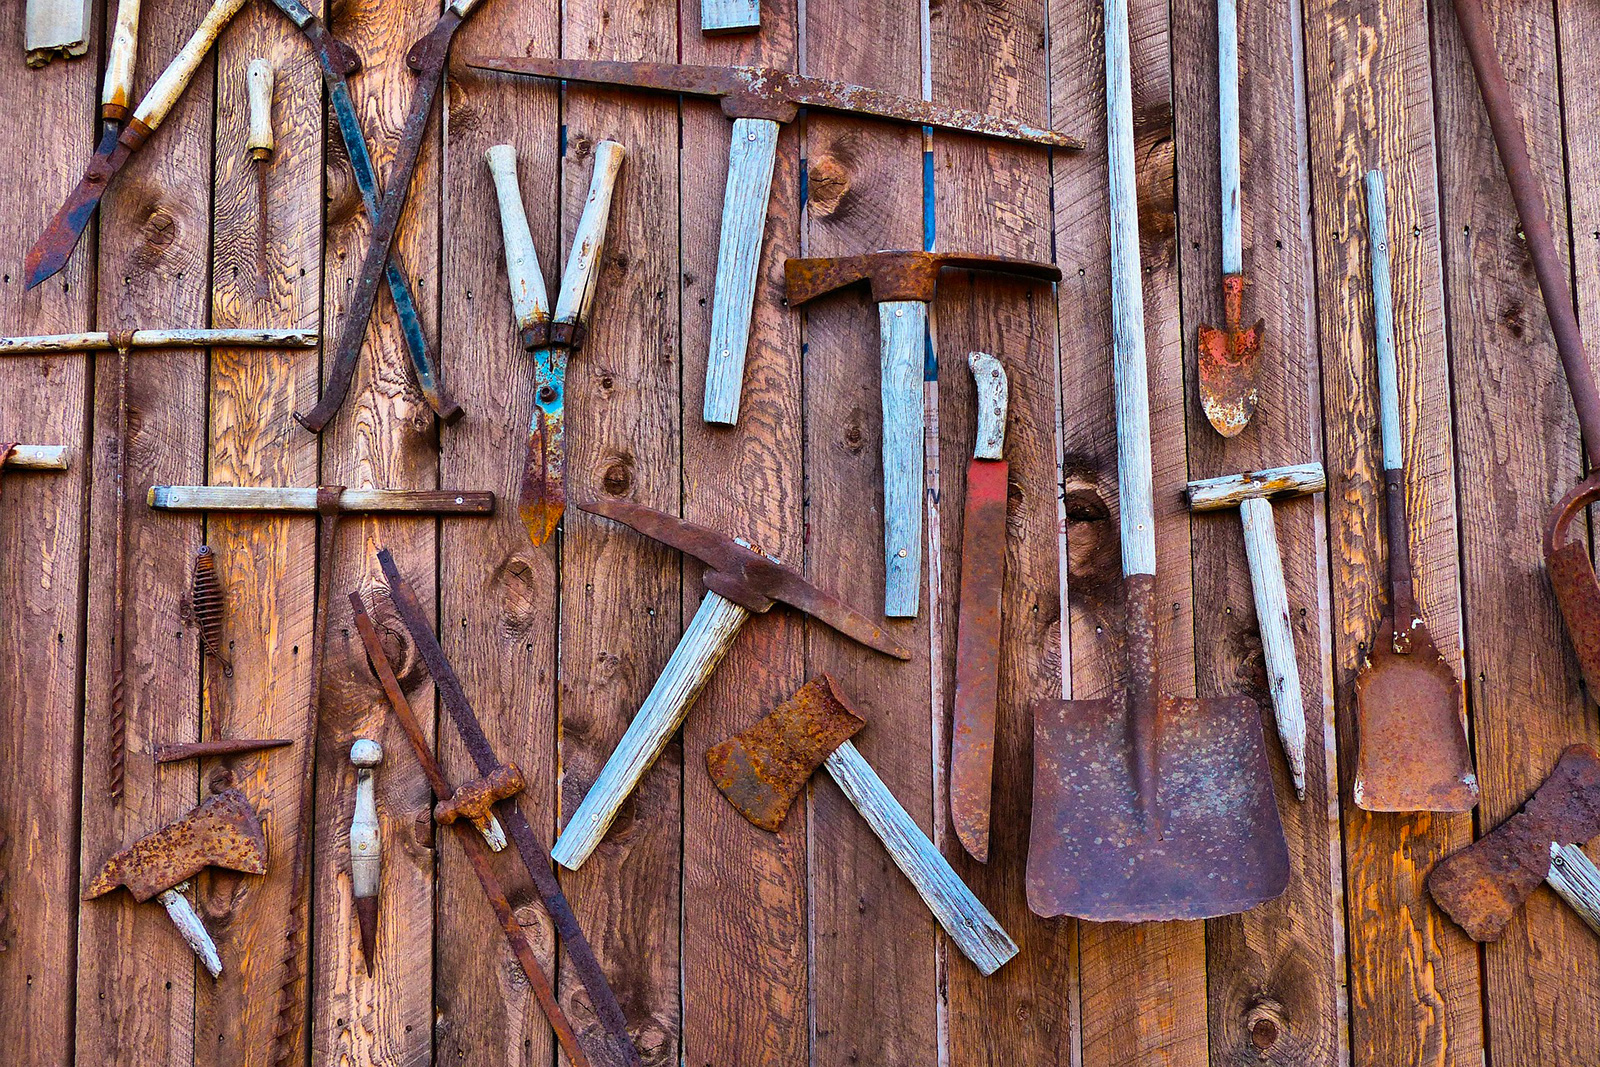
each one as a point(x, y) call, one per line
point(978, 655)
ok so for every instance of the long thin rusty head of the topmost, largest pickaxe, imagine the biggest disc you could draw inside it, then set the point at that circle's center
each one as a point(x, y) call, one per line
point(775, 95)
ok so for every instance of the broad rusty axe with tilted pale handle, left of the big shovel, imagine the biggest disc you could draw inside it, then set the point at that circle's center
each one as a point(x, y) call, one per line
point(762, 770)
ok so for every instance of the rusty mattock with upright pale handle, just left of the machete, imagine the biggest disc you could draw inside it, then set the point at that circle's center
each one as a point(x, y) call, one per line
point(903, 286)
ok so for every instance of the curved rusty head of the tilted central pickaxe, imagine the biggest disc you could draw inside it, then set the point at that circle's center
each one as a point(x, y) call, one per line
point(745, 575)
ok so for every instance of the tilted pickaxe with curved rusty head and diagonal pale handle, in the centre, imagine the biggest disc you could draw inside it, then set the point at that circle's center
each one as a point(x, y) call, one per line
point(740, 581)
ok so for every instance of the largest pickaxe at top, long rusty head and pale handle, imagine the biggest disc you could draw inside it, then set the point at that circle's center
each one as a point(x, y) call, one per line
point(759, 100)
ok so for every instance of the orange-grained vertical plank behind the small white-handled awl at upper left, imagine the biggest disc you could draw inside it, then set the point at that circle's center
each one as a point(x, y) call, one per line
point(265, 561)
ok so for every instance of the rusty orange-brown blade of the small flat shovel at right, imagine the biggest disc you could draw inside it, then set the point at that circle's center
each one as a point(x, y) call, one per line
point(1414, 745)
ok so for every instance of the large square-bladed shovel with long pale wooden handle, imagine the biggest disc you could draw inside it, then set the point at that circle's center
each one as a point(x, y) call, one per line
point(1146, 805)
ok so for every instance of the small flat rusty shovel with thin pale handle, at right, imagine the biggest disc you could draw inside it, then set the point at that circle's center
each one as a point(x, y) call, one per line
point(1414, 741)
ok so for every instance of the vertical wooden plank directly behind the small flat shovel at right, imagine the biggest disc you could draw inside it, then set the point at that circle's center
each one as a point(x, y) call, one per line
point(1370, 105)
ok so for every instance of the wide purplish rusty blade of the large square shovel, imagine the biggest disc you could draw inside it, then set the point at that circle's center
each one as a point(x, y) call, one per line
point(1218, 847)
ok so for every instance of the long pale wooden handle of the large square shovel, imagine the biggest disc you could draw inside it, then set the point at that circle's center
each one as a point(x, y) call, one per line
point(1129, 361)
